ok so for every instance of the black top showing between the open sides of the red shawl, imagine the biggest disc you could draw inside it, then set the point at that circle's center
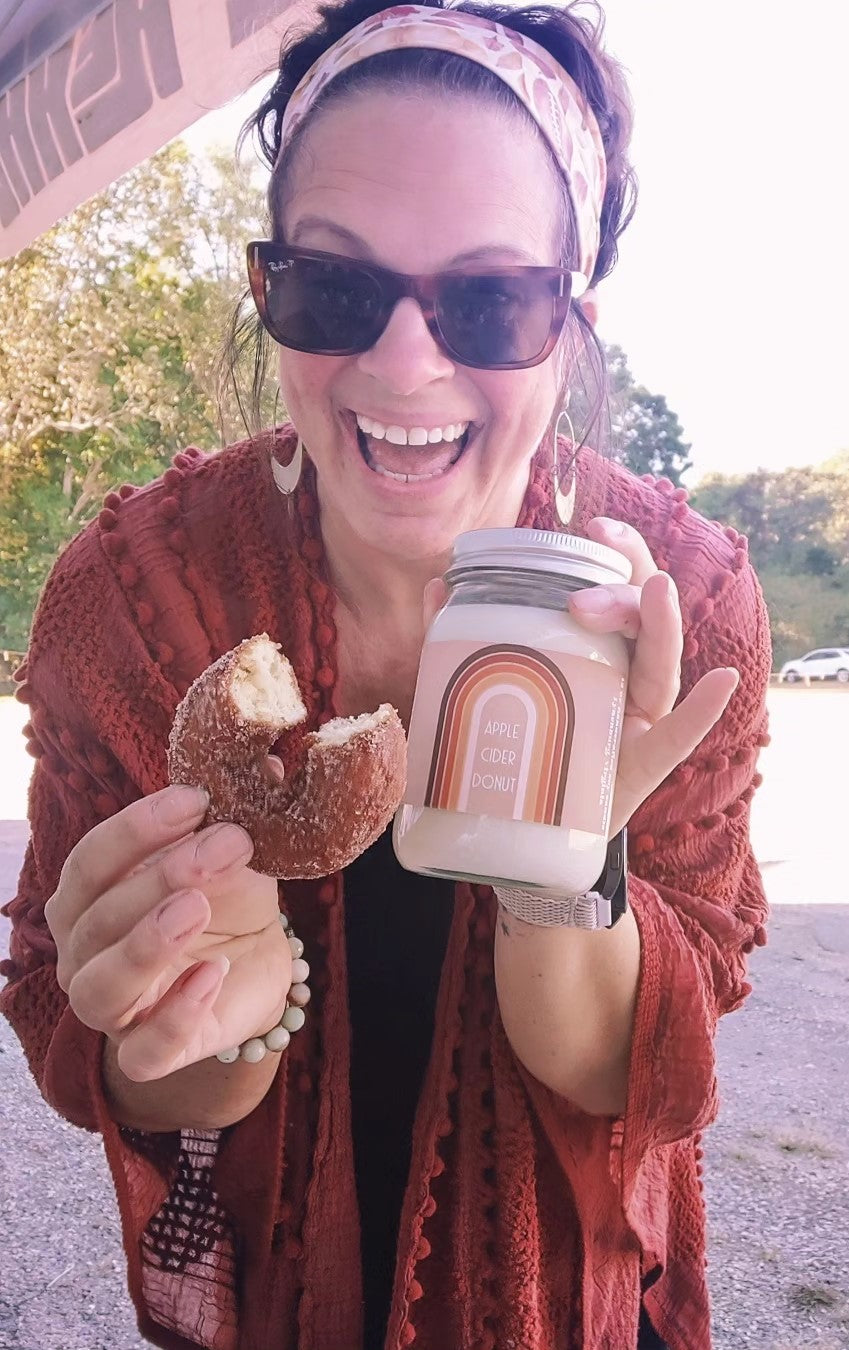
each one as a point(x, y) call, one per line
point(398, 931)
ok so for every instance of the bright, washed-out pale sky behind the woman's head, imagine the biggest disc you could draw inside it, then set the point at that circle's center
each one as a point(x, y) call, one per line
point(732, 291)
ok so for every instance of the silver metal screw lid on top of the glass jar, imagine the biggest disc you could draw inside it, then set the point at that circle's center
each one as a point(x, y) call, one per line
point(541, 551)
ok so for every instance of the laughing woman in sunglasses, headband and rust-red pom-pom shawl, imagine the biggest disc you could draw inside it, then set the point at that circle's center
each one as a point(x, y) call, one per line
point(488, 1133)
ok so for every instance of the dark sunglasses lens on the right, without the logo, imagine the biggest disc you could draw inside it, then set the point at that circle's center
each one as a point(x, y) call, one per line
point(496, 321)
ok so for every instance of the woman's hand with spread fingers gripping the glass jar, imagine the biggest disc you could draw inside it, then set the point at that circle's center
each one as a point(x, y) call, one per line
point(657, 735)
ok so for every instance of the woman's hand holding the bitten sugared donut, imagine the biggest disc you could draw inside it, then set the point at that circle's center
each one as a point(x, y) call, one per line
point(167, 940)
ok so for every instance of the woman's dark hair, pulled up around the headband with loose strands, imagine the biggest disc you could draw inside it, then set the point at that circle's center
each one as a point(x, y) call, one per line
point(574, 40)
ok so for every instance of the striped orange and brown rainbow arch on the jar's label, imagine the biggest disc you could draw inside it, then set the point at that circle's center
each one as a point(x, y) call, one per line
point(545, 693)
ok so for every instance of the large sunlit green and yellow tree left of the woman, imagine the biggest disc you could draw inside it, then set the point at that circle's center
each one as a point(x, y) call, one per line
point(110, 334)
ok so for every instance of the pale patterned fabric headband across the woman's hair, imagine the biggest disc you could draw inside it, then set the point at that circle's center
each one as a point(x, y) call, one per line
point(550, 95)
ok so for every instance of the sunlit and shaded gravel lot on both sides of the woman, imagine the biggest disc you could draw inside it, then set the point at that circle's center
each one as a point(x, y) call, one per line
point(777, 1164)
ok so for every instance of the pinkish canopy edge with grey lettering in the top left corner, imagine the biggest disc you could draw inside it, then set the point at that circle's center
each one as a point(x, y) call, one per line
point(90, 88)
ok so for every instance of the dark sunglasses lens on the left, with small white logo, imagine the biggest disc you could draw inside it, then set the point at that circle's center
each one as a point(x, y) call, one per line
point(322, 306)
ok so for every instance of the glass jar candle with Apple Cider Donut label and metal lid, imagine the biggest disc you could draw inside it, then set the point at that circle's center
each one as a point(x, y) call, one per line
point(518, 718)
